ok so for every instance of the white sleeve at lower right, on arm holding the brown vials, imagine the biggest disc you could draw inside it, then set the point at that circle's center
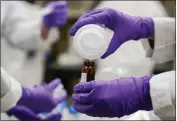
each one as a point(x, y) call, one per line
point(162, 90)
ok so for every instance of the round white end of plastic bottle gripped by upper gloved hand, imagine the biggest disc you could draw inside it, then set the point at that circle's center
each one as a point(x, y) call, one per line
point(91, 41)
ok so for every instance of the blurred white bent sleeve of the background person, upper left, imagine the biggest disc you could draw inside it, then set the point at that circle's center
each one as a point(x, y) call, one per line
point(22, 26)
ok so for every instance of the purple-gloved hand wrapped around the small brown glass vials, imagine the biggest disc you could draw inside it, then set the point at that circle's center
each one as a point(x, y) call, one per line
point(115, 98)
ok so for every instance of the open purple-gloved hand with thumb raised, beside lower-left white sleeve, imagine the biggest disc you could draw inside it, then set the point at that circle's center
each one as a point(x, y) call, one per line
point(42, 98)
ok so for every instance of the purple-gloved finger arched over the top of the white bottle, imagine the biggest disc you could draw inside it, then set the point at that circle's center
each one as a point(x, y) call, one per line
point(93, 19)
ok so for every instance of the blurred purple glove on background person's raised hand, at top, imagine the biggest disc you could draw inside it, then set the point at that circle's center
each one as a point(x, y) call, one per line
point(58, 16)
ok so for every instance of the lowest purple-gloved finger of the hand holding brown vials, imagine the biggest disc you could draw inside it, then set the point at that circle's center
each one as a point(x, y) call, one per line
point(82, 108)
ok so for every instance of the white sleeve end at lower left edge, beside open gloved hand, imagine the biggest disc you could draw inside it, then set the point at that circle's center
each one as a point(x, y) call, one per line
point(11, 91)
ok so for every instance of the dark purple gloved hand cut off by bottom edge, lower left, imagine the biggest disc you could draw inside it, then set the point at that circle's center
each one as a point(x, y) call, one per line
point(25, 114)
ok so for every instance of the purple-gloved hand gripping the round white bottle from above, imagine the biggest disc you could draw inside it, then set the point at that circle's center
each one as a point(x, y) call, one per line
point(125, 27)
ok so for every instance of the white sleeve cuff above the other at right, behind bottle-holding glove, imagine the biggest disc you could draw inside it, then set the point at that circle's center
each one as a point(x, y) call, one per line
point(165, 42)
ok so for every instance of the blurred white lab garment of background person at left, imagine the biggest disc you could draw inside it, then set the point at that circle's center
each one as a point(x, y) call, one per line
point(20, 33)
